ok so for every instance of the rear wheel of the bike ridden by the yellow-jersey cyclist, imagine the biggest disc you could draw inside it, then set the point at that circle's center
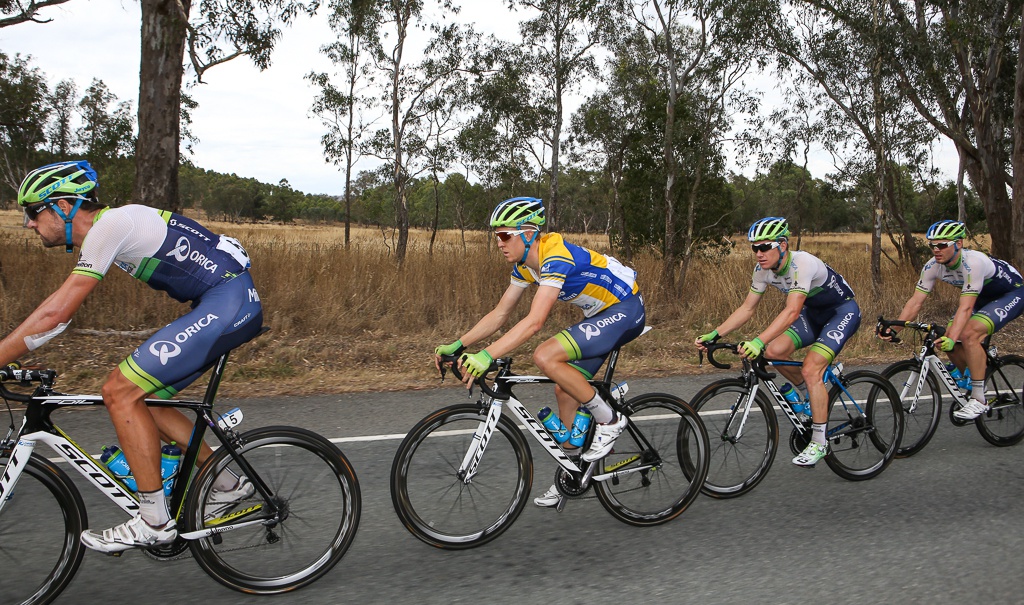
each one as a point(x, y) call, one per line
point(658, 465)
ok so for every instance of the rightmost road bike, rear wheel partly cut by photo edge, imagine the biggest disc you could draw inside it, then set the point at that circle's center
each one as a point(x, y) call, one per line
point(924, 382)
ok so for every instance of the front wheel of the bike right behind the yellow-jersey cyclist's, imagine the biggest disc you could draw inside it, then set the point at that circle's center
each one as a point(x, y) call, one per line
point(739, 461)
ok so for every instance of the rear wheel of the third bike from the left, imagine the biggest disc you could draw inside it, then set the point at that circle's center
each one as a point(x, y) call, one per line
point(866, 423)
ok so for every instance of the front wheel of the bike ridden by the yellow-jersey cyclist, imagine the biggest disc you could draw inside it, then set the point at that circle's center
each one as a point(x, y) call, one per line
point(436, 504)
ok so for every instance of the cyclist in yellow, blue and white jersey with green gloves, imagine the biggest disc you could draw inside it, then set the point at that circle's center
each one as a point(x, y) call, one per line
point(605, 289)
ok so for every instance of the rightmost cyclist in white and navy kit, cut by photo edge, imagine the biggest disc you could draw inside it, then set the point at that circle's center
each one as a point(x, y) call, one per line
point(991, 298)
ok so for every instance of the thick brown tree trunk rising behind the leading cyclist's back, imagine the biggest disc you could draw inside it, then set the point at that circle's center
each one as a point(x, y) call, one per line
point(159, 104)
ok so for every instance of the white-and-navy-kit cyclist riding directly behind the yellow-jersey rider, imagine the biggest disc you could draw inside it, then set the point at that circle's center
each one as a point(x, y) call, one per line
point(821, 314)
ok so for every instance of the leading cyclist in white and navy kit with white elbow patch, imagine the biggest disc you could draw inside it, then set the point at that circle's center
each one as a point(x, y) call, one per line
point(170, 253)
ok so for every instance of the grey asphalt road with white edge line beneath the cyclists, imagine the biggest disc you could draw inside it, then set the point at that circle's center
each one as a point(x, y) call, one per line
point(945, 527)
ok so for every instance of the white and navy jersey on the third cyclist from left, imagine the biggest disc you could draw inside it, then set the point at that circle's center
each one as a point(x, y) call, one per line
point(806, 274)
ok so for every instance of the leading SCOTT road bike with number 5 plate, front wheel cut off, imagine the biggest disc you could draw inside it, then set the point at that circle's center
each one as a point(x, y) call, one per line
point(293, 530)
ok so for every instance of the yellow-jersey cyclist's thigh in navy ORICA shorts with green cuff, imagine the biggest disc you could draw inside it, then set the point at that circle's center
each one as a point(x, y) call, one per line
point(589, 342)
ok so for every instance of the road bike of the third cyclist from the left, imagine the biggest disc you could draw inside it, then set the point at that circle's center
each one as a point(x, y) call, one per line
point(864, 429)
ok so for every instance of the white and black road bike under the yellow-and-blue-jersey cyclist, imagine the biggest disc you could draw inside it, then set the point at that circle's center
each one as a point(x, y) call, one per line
point(463, 474)
